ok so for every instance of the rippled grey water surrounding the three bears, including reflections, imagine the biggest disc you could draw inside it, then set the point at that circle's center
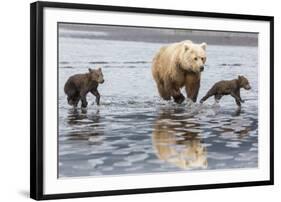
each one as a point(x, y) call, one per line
point(133, 131)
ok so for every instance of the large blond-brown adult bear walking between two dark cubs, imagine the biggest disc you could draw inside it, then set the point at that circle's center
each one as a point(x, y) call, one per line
point(179, 65)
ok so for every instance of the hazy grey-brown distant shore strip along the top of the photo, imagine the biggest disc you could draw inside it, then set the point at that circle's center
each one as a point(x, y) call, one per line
point(156, 35)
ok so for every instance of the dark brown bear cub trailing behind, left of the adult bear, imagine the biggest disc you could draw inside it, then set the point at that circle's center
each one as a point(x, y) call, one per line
point(79, 85)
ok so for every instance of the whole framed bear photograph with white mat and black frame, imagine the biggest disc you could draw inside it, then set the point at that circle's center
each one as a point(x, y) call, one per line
point(136, 100)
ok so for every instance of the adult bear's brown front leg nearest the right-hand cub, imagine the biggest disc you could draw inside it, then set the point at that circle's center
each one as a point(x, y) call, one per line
point(192, 85)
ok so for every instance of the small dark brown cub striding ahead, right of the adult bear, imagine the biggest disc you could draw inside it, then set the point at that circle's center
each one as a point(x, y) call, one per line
point(230, 87)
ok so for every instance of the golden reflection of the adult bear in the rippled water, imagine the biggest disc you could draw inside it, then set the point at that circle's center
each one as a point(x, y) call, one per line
point(175, 143)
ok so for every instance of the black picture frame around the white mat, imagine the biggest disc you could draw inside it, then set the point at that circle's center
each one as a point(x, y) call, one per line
point(36, 98)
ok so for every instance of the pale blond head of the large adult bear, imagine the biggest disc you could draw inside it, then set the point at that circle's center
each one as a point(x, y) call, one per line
point(192, 57)
